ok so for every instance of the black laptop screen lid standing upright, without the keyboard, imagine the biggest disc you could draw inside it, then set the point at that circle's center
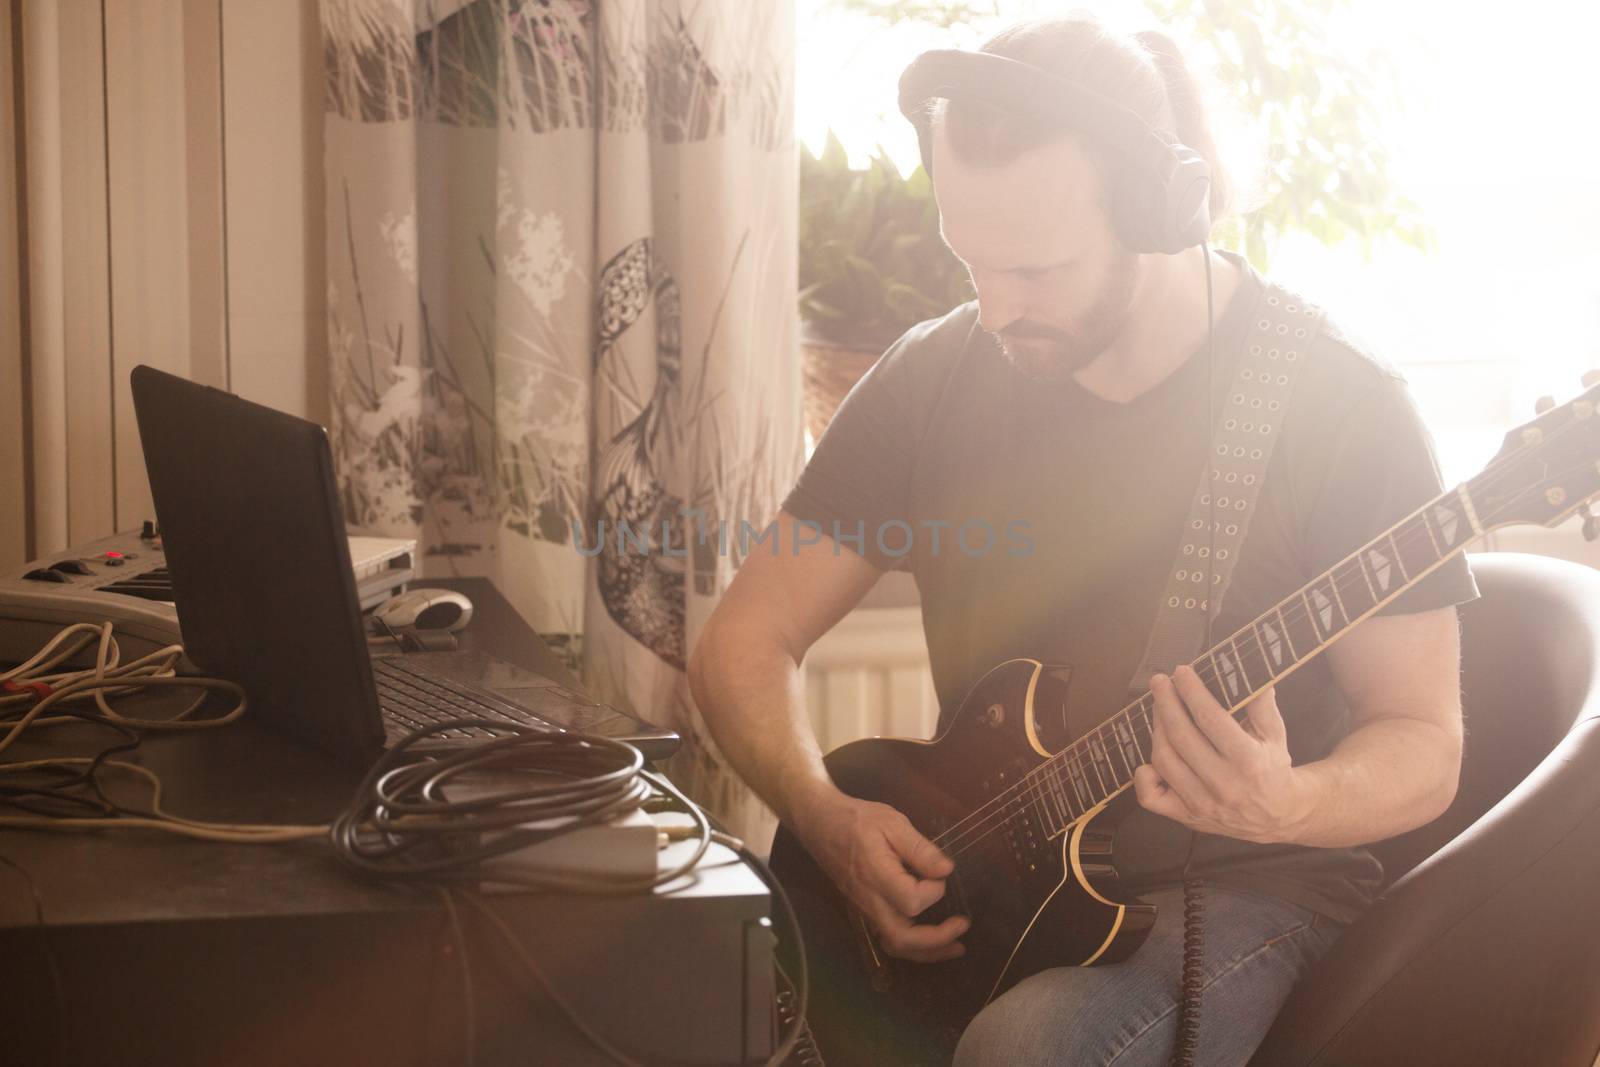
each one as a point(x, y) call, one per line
point(260, 559)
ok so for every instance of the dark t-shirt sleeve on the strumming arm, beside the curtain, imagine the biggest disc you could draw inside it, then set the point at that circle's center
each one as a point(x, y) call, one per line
point(857, 484)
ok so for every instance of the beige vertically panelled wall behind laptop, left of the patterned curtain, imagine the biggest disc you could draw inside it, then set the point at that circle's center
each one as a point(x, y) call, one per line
point(169, 214)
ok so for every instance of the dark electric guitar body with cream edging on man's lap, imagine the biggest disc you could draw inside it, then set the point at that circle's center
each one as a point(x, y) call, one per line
point(1036, 901)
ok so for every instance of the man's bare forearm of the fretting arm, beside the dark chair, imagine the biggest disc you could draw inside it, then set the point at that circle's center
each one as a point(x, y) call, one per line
point(1388, 777)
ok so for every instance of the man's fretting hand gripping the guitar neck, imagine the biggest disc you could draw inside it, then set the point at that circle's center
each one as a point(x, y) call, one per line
point(1217, 775)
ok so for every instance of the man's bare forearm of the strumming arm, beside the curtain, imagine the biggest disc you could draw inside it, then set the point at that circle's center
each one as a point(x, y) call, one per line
point(754, 705)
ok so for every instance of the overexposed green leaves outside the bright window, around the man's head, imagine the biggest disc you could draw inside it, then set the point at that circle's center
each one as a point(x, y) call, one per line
point(1321, 111)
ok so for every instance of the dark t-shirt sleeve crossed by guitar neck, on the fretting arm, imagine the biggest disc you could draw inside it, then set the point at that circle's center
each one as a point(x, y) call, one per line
point(1383, 468)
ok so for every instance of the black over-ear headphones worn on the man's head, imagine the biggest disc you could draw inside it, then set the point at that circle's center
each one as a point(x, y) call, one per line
point(1159, 190)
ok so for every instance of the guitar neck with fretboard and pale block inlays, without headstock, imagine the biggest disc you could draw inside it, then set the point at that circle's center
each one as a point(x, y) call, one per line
point(1100, 765)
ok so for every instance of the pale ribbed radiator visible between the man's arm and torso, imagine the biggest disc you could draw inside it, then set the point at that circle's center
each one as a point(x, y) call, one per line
point(870, 677)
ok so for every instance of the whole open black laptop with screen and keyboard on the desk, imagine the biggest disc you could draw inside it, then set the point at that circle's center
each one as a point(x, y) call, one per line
point(262, 575)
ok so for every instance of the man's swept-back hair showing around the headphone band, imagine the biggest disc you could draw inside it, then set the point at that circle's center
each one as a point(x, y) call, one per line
point(1143, 71)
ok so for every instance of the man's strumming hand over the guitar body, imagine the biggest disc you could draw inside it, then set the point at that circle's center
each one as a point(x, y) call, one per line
point(887, 869)
